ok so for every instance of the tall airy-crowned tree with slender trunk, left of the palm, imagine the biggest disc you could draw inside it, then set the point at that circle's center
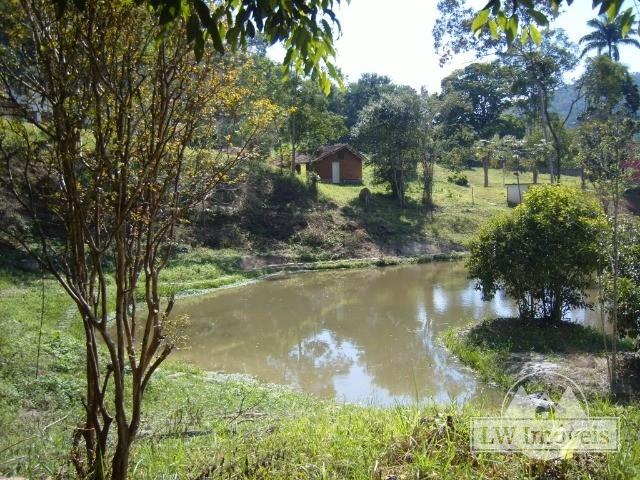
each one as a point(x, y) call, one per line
point(539, 66)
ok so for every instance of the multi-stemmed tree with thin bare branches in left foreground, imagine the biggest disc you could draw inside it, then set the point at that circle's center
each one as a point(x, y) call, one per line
point(103, 172)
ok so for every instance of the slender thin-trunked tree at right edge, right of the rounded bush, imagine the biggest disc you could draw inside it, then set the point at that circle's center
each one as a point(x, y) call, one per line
point(605, 144)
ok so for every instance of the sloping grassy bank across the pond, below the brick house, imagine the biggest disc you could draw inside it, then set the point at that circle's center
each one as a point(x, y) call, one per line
point(286, 220)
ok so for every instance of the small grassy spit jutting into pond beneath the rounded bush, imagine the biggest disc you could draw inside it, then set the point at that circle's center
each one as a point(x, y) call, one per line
point(569, 349)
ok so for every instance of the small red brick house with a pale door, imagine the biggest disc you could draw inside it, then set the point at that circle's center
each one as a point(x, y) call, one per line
point(336, 164)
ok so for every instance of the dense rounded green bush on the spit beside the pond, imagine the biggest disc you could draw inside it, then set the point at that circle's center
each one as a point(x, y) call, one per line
point(543, 254)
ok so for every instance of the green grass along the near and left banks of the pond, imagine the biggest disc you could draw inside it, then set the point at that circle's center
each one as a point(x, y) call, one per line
point(197, 424)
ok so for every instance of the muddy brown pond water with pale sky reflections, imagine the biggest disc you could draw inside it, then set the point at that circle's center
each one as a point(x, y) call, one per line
point(364, 336)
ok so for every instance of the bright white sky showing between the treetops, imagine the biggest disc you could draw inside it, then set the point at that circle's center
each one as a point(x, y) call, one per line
point(394, 39)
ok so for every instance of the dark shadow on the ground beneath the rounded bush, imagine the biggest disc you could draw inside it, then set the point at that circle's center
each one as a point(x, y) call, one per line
point(515, 335)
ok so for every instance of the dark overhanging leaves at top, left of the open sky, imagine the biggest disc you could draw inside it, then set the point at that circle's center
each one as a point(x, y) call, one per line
point(305, 28)
